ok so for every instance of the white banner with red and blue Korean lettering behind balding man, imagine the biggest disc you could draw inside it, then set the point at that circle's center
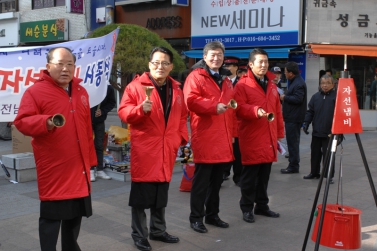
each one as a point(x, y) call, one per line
point(21, 67)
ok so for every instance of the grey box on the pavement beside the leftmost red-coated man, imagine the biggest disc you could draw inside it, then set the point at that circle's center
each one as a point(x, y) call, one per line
point(21, 166)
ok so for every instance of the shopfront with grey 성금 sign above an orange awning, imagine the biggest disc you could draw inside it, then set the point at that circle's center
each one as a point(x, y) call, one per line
point(342, 35)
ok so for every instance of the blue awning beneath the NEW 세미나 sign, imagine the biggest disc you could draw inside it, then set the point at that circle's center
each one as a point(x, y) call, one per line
point(244, 53)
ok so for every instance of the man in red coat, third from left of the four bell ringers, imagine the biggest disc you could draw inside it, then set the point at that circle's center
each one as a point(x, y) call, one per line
point(207, 92)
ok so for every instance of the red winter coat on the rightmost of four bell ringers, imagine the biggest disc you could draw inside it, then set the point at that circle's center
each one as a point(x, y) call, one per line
point(258, 137)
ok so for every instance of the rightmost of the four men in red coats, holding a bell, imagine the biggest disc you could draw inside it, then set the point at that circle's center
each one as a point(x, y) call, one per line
point(257, 96)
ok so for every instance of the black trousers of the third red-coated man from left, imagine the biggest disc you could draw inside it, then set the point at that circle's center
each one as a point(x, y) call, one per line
point(205, 191)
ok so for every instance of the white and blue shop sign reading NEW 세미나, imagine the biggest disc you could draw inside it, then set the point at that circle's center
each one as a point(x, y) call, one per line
point(246, 23)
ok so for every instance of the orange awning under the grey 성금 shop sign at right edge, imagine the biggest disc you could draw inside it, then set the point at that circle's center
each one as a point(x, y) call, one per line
point(354, 50)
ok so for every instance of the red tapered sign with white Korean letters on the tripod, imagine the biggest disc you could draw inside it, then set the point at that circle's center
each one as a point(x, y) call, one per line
point(346, 115)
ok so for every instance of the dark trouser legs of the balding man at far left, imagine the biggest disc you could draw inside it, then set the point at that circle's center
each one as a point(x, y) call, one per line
point(49, 232)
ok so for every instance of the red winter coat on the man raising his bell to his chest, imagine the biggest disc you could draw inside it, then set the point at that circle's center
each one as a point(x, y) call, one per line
point(154, 145)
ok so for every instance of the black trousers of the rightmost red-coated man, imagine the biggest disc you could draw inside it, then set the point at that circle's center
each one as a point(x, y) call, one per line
point(253, 184)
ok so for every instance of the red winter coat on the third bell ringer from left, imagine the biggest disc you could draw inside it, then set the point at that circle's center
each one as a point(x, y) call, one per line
point(211, 133)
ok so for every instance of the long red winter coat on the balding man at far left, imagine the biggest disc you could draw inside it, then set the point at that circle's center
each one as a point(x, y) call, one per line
point(63, 155)
